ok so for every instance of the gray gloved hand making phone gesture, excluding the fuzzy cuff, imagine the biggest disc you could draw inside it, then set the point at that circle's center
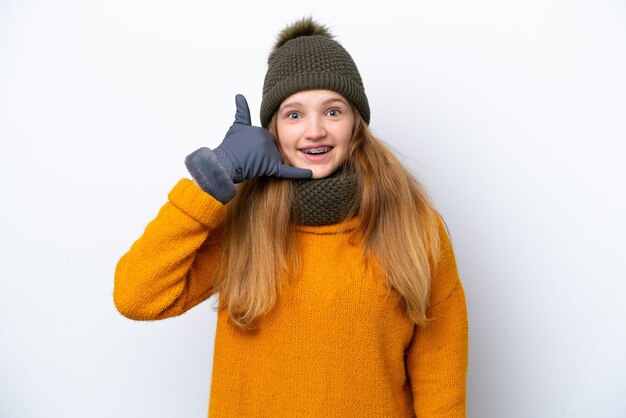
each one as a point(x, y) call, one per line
point(250, 151)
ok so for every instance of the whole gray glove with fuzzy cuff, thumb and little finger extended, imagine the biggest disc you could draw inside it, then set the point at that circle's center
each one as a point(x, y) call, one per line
point(247, 151)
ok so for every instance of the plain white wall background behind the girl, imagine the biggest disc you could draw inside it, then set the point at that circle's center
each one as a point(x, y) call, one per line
point(511, 113)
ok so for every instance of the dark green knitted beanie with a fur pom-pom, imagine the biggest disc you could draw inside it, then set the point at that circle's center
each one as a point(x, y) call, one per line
point(307, 57)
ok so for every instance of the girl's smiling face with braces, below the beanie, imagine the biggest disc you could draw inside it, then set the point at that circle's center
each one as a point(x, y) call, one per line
point(314, 129)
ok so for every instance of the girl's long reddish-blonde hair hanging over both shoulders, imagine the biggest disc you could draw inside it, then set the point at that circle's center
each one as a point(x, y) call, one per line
point(398, 227)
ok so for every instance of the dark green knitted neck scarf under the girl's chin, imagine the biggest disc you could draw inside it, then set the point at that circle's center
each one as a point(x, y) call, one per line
point(326, 201)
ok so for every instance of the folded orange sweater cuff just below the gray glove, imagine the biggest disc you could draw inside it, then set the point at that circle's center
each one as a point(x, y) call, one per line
point(199, 205)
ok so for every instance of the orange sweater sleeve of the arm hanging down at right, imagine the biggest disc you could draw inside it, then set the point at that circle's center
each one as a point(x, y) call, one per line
point(437, 354)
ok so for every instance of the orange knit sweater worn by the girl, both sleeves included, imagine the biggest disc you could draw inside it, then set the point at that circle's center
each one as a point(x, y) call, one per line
point(333, 346)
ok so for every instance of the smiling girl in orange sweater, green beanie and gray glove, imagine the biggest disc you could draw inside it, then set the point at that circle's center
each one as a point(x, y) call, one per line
point(338, 289)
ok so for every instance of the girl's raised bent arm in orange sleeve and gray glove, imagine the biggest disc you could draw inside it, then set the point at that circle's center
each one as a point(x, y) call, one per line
point(171, 267)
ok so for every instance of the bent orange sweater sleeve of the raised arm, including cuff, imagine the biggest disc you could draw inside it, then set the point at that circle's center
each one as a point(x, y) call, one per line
point(170, 268)
